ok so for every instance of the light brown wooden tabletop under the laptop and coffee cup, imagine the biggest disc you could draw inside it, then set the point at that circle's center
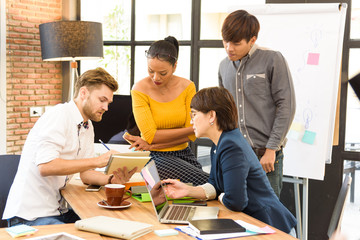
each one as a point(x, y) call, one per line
point(85, 205)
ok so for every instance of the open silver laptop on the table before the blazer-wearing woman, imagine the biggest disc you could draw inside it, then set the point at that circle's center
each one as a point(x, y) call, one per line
point(171, 213)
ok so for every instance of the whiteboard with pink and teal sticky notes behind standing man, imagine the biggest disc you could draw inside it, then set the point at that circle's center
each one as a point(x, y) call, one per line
point(310, 36)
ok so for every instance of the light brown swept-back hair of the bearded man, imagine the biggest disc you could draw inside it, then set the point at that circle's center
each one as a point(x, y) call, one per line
point(94, 78)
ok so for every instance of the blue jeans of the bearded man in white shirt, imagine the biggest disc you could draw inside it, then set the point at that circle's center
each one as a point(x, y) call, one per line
point(69, 217)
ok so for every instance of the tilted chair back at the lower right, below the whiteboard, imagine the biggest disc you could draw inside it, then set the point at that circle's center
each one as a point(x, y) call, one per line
point(336, 217)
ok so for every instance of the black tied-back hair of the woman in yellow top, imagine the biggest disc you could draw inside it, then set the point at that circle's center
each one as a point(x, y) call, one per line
point(164, 50)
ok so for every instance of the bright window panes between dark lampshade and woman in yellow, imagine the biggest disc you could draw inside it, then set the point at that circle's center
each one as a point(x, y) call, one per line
point(115, 18)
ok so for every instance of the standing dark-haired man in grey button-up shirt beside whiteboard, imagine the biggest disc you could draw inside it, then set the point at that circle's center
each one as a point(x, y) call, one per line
point(260, 81)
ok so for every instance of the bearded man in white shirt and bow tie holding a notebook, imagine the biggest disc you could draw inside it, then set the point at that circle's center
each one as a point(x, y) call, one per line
point(60, 144)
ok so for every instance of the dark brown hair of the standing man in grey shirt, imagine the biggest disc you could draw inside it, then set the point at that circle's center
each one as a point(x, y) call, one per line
point(240, 25)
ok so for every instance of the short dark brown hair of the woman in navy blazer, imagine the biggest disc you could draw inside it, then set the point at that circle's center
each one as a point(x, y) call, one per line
point(221, 101)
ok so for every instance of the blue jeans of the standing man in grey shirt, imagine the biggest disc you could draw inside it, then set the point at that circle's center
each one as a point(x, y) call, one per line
point(275, 177)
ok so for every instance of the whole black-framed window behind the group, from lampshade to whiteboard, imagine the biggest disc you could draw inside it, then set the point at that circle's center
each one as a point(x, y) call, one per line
point(154, 20)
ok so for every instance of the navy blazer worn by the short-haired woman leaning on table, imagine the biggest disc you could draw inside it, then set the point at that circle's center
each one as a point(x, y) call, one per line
point(237, 172)
